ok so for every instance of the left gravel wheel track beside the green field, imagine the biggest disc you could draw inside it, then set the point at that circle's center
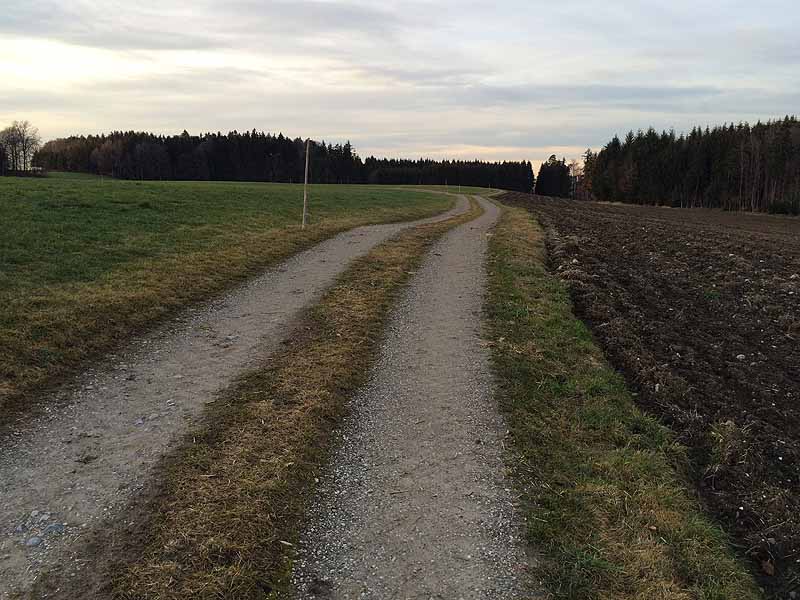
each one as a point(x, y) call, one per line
point(74, 467)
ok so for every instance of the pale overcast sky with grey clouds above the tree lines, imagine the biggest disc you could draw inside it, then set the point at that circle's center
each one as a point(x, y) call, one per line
point(450, 78)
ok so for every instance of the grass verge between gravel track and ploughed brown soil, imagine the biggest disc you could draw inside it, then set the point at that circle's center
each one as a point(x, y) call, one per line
point(603, 484)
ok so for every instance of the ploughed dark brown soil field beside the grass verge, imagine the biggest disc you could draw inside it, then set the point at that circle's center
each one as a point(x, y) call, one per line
point(701, 311)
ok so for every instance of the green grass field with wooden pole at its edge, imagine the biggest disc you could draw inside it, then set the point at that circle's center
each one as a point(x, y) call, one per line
point(85, 262)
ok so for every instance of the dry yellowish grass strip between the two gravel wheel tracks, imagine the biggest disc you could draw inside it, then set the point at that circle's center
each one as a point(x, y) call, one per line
point(233, 496)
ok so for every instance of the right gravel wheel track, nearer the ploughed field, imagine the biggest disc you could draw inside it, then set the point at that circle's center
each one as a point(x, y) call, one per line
point(416, 504)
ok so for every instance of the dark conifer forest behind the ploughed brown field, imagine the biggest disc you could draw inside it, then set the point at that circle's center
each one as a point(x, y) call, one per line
point(733, 167)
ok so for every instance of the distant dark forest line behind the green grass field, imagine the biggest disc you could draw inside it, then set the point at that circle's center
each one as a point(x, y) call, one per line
point(258, 156)
